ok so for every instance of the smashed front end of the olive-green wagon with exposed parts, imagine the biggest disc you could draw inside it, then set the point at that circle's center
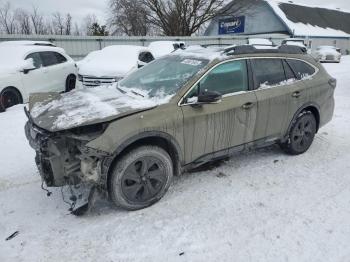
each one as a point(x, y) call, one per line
point(63, 159)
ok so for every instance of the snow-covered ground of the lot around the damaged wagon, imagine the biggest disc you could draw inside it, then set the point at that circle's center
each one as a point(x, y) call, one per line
point(258, 206)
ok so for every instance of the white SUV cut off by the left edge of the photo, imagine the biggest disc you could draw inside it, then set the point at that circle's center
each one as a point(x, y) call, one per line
point(27, 69)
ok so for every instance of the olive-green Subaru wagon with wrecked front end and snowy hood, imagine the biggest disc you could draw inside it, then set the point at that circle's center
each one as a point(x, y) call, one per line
point(127, 141)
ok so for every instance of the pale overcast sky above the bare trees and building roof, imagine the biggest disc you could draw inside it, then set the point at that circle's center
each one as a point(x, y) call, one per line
point(80, 8)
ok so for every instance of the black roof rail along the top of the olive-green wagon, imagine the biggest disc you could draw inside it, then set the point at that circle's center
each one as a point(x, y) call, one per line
point(250, 49)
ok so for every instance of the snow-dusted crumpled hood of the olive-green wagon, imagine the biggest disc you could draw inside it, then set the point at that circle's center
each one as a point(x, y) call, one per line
point(58, 112)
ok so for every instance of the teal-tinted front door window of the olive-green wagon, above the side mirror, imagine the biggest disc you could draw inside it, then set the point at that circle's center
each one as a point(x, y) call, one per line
point(227, 78)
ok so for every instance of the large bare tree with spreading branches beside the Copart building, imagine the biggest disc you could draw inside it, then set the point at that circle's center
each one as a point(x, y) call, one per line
point(186, 17)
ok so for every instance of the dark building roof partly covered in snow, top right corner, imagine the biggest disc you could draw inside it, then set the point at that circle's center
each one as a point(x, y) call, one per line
point(302, 20)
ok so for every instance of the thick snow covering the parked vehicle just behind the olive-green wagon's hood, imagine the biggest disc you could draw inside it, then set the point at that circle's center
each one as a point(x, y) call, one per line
point(111, 61)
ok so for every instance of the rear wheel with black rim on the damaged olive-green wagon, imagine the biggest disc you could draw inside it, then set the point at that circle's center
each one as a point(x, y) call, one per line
point(301, 134)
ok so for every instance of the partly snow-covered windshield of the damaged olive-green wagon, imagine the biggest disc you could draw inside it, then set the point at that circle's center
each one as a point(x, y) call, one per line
point(164, 76)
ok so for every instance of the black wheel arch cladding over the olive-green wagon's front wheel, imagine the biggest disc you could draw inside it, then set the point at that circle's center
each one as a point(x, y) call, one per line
point(163, 140)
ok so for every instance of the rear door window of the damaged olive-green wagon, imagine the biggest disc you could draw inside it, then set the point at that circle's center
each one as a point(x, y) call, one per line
point(268, 72)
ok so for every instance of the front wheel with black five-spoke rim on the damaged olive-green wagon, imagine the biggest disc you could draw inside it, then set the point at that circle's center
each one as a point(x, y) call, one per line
point(140, 178)
